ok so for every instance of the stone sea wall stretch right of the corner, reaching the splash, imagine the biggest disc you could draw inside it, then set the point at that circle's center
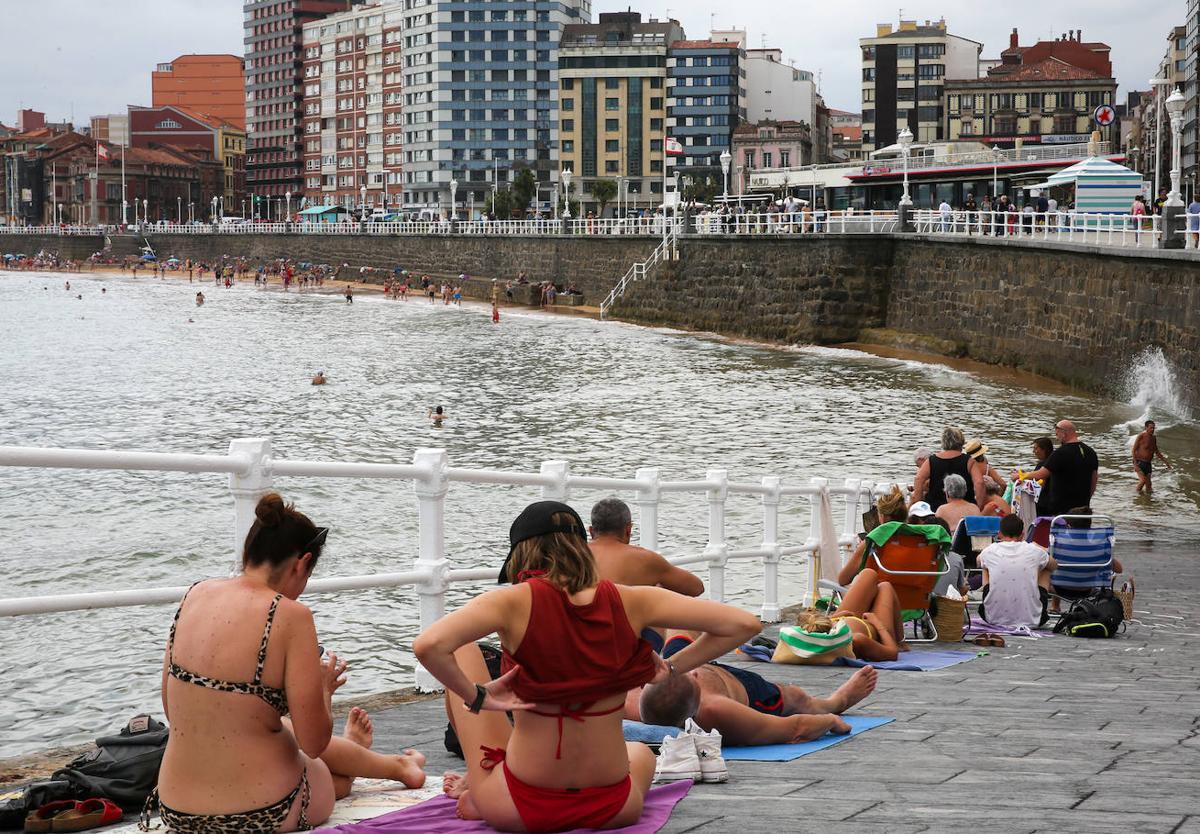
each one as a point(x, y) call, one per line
point(1076, 314)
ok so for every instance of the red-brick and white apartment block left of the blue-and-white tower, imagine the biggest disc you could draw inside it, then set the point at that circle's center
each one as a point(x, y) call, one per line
point(353, 109)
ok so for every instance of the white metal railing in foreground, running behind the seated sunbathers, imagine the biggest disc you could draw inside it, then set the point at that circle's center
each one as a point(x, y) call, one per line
point(253, 471)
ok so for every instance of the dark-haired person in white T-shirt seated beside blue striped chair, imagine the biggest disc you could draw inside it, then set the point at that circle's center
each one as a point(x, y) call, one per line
point(1017, 577)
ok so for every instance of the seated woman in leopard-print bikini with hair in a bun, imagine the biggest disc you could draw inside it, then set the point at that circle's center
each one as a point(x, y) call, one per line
point(243, 655)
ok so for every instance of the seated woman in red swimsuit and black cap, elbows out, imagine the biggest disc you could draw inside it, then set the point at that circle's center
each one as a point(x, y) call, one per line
point(572, 651)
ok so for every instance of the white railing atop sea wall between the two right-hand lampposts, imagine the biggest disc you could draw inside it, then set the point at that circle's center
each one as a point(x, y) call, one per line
point(1069, 227)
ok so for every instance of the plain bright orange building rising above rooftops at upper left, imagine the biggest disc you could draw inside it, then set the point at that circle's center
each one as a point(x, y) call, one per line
point(211, 85)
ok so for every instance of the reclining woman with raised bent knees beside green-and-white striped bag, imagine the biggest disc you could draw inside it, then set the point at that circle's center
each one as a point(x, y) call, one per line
point(872, 611)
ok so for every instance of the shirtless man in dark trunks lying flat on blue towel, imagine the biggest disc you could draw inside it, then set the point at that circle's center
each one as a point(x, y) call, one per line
point(741, 705)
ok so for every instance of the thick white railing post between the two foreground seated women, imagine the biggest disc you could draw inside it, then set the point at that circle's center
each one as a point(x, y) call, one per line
point(431, 493)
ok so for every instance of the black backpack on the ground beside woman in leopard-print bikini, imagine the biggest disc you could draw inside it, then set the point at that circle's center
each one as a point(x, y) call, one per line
point(123, 769)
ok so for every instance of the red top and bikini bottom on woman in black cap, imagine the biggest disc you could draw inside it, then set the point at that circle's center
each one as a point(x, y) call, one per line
point(573, 656)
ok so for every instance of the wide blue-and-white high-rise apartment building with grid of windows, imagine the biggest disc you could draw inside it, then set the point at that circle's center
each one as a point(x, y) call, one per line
point(481, 103)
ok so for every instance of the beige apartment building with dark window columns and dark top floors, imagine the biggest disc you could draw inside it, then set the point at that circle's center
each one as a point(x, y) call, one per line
point(614, 105)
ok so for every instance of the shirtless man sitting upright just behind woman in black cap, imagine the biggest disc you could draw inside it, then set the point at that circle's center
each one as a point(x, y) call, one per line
point(620, 562)
